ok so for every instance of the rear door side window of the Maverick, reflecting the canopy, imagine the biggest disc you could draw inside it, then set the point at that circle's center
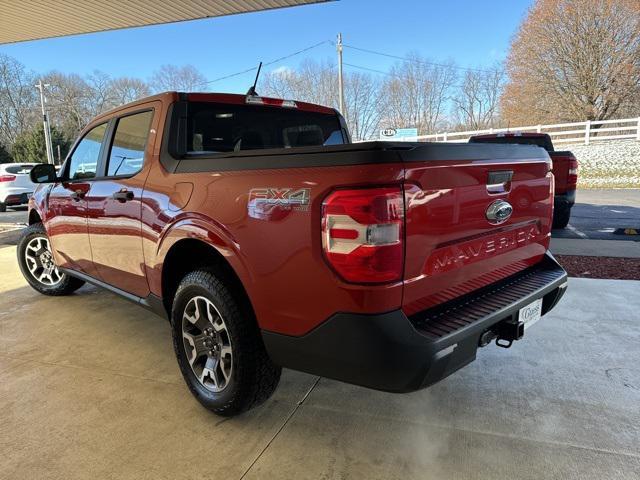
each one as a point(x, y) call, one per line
point(129, 142)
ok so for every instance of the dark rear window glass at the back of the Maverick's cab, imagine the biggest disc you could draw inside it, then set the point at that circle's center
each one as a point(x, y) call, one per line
point(216, 128)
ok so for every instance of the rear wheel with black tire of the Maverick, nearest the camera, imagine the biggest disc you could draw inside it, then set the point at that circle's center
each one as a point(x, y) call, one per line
point(219, 348)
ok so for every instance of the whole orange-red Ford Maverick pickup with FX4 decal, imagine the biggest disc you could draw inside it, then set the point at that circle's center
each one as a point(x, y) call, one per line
point(269, 240)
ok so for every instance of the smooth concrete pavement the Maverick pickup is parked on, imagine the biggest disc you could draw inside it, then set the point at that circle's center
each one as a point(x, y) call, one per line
point(89, 388)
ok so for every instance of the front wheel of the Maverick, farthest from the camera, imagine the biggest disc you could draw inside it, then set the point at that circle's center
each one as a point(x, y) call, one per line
point(37, 264)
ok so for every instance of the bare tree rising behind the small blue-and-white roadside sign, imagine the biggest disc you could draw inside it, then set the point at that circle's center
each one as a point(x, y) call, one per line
point(416, 93)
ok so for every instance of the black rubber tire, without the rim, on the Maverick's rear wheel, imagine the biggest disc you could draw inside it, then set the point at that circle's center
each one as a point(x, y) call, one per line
point(253, 377)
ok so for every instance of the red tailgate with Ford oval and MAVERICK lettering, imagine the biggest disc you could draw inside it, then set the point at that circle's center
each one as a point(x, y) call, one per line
point(453, 243)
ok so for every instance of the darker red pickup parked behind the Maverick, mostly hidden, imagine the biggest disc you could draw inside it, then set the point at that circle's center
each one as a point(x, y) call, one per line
point(565, 169)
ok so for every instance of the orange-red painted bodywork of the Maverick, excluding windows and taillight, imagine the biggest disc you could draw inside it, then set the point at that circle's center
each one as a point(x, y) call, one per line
point(276, 251)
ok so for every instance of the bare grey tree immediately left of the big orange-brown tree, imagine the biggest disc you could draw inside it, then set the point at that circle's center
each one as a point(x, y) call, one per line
point(477, 101)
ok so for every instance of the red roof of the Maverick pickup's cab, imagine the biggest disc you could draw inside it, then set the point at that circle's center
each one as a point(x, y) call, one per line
point(228, 98)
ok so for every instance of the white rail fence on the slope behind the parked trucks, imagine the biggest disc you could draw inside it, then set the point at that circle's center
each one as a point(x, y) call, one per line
point(561, 133)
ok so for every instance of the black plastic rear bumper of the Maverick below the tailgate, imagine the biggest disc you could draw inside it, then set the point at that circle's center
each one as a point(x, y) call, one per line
point(395, 353)
